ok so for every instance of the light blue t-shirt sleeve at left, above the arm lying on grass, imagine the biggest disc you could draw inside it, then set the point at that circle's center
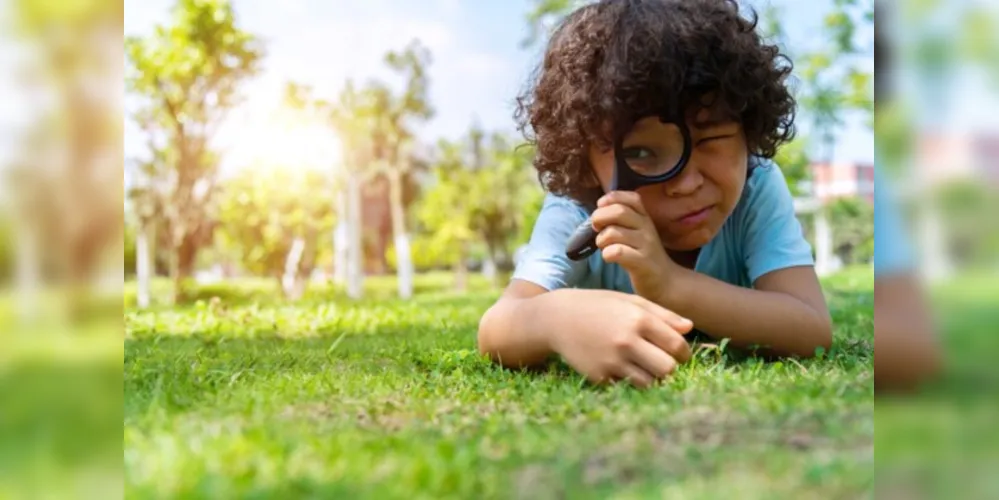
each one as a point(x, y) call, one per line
point(543, 261)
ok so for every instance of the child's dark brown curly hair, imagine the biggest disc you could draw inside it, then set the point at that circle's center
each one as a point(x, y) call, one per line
point(612, 62)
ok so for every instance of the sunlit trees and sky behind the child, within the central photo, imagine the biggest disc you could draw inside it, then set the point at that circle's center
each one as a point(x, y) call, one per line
point(325, 144)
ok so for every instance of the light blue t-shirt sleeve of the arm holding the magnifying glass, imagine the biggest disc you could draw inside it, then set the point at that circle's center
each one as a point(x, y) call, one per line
point(773, 237)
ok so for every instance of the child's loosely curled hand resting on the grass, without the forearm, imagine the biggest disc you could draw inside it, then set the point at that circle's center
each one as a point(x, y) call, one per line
point(607, 335)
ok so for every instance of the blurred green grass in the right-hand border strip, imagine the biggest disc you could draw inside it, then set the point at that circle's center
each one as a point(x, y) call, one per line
point(943, 442)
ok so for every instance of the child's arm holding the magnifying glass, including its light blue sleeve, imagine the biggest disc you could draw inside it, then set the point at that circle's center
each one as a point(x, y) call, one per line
point(784, 312)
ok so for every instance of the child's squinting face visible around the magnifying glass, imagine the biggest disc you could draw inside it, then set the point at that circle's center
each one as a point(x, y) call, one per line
point(688, 210)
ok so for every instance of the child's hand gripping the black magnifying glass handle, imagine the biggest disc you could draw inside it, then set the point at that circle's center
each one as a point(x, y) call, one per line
point(628, 237)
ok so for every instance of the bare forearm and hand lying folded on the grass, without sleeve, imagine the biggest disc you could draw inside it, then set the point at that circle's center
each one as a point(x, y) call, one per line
point(604, 335)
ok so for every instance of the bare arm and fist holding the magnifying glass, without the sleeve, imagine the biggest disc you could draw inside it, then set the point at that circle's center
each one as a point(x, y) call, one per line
point(785, 313)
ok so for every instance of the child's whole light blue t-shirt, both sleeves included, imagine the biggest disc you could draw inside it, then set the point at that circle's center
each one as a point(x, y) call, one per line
point(761, 235)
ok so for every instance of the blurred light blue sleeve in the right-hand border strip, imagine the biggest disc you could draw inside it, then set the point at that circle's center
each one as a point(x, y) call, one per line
point(892, 252)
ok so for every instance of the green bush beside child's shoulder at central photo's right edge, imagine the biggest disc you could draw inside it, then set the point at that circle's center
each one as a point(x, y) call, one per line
point(852, 221)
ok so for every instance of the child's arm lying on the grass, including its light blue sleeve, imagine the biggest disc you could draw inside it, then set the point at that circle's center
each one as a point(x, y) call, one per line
point(604, 335)
